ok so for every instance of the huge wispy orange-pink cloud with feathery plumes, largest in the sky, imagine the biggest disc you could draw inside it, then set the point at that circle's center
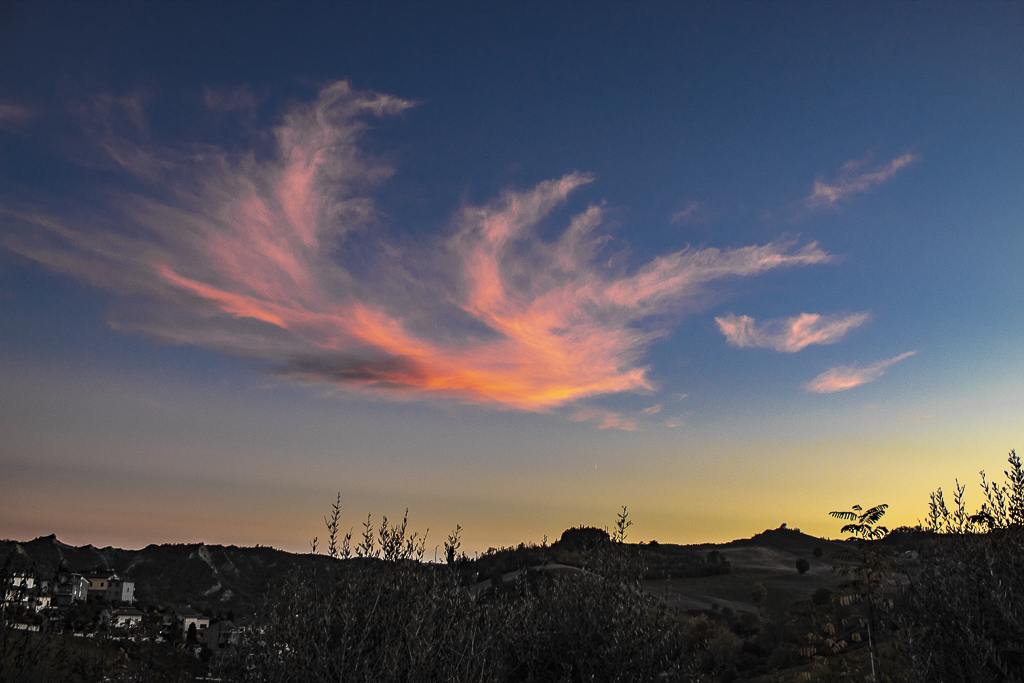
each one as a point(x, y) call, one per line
point(278, 259)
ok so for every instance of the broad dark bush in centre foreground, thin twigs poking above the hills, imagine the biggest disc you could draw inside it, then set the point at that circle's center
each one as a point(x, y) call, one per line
point(371, 620)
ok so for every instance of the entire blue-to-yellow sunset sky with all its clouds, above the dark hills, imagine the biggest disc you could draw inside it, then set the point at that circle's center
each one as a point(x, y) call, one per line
point(506, 266)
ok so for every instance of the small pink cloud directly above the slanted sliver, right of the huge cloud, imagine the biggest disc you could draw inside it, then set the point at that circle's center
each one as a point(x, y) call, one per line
point(789, 334)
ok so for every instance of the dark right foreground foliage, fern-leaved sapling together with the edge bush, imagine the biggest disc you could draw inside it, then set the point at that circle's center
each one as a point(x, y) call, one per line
point(954, 616)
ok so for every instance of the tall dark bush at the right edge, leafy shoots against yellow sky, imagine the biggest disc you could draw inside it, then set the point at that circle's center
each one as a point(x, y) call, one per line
point(961, 618)
